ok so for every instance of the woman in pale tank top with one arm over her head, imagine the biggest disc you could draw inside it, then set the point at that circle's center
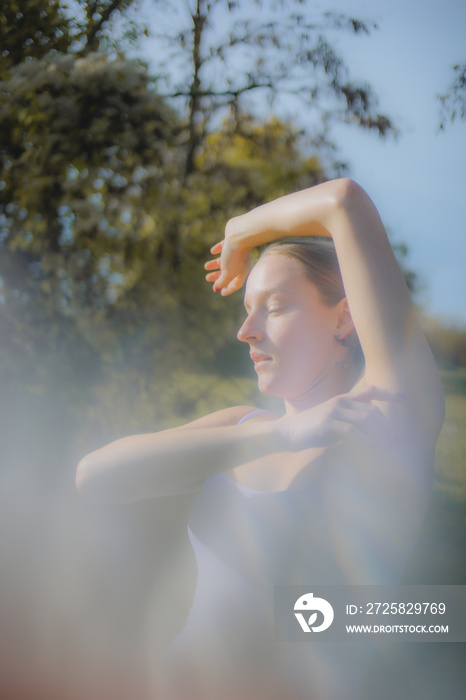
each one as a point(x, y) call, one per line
point(331, 492)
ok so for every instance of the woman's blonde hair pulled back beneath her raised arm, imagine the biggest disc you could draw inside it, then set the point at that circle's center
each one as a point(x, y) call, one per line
point(318, 257)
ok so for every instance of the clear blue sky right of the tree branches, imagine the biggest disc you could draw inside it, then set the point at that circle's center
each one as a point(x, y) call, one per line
point(419, 181)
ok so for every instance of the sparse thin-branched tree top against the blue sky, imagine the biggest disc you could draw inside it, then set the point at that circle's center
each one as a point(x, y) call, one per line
point(215, 54)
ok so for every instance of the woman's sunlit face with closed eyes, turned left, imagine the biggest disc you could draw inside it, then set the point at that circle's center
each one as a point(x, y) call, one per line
point(290, 331)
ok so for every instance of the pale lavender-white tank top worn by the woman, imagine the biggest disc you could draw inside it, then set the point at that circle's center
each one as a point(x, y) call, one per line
point(246, 541)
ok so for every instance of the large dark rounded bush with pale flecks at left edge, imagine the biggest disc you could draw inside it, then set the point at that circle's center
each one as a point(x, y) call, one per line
point(84, 154)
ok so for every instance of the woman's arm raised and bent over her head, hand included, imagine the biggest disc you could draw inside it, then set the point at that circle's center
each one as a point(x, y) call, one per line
point(397, 355)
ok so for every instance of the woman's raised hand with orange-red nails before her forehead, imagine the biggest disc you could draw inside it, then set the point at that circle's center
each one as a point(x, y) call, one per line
point(231, 268)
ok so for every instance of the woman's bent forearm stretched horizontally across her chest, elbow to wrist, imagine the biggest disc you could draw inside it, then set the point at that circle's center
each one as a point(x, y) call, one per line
point(169, 462)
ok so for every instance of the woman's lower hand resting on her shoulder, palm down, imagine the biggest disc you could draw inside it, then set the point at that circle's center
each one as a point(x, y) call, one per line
point(350, 416)
